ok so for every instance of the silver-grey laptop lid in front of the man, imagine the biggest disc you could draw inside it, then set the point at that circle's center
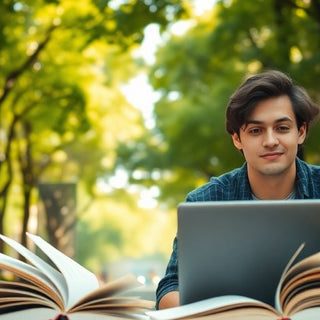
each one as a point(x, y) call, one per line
point(242, 247)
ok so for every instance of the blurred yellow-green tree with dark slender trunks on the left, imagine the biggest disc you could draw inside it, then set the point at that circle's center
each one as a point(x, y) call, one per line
point(54, 54)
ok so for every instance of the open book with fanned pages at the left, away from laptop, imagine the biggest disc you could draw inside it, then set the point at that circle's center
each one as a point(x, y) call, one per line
point(63, 289)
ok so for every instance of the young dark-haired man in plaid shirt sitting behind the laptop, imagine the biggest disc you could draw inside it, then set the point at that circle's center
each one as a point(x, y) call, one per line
point(268, 118)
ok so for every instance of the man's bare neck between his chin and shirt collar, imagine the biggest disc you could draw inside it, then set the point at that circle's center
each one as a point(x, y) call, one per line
point(268, 187)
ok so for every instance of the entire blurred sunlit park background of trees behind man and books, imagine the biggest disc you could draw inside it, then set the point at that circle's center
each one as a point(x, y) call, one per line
point(112, 110)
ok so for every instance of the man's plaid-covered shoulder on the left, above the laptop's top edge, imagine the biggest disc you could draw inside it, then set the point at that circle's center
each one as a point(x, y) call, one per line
point(229, 186)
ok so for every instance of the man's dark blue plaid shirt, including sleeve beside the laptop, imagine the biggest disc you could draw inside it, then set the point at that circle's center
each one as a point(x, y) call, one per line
point(234, 185)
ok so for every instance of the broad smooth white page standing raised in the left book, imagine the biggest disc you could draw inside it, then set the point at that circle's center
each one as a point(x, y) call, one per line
point(80, 281)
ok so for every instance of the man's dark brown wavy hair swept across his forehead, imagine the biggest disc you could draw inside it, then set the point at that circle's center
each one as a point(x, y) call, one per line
point(263, 86)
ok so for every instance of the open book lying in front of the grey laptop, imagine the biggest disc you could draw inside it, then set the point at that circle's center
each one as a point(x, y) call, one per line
point(297, 298)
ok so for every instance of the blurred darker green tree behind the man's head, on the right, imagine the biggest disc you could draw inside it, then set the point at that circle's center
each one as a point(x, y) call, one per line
point(195, 74)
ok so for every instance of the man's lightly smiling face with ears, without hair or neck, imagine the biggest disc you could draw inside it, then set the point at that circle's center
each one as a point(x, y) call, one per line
point(270, 138)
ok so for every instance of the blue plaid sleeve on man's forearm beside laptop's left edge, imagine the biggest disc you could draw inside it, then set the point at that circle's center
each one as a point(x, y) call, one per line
point(170, 280)
